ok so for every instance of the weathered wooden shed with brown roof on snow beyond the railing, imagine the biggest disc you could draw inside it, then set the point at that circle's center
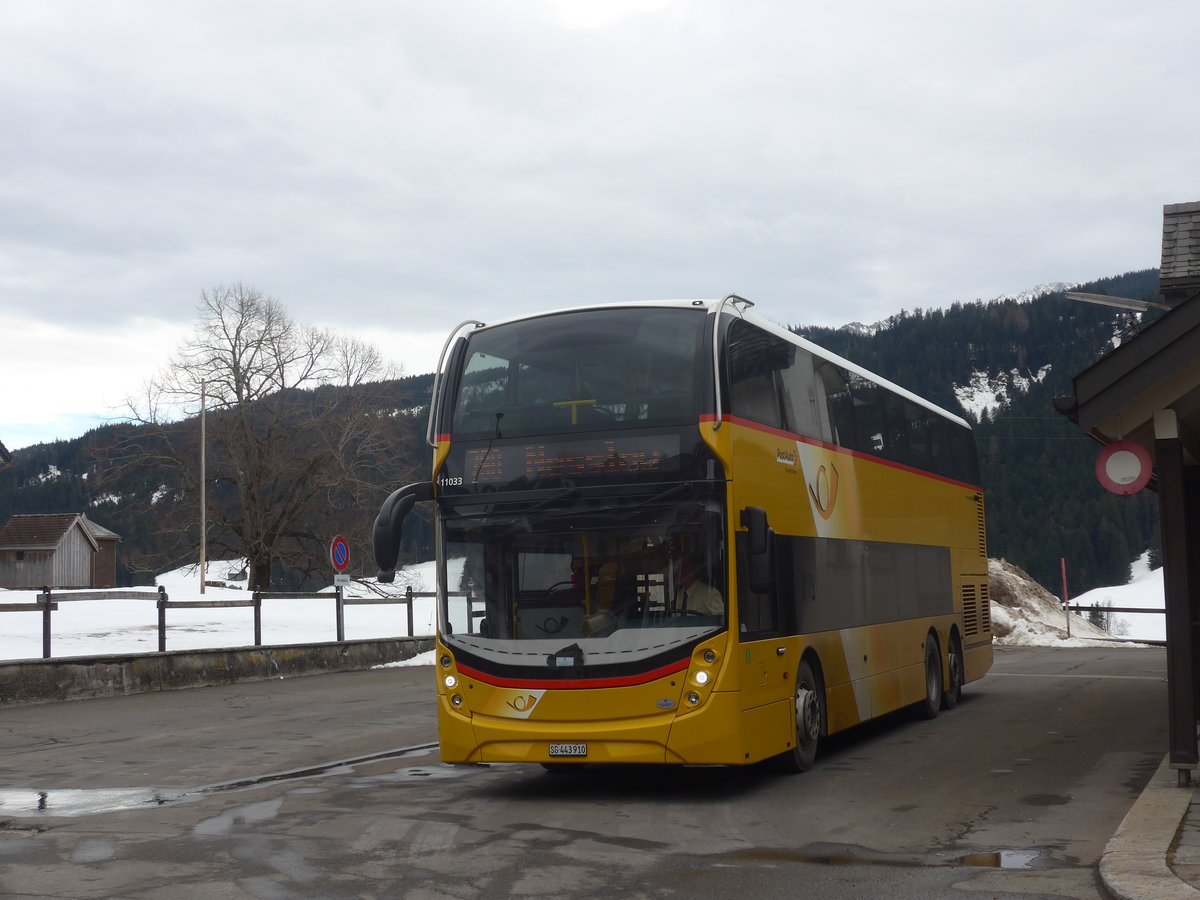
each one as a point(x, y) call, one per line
point(57, 551)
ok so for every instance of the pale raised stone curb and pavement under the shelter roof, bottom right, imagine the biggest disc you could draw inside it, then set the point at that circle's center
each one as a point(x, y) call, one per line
point(1135, 865)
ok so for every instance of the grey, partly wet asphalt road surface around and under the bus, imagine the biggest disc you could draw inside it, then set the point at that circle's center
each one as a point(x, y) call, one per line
point(329, 787)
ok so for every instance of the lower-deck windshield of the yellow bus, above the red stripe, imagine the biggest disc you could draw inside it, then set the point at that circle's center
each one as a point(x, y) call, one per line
point(616, 584)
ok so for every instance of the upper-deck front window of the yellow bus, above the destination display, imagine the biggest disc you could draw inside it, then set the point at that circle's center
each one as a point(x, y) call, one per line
point(597, 369)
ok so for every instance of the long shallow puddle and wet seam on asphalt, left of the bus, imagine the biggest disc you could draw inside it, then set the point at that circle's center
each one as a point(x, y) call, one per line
point(86, 802)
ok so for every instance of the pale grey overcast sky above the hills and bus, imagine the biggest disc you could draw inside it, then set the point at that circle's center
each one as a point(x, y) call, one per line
point(391, 169)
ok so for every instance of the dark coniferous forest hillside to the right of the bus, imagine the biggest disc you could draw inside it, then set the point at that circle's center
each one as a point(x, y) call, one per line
point(1043, 501)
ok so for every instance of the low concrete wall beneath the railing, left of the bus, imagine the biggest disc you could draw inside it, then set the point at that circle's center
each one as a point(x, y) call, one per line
point(37, 681)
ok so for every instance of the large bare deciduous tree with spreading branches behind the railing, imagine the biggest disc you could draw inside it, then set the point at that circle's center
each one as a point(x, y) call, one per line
point(292, 454)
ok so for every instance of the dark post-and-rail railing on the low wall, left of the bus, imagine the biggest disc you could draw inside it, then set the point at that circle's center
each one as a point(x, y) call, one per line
point(47, 603)
